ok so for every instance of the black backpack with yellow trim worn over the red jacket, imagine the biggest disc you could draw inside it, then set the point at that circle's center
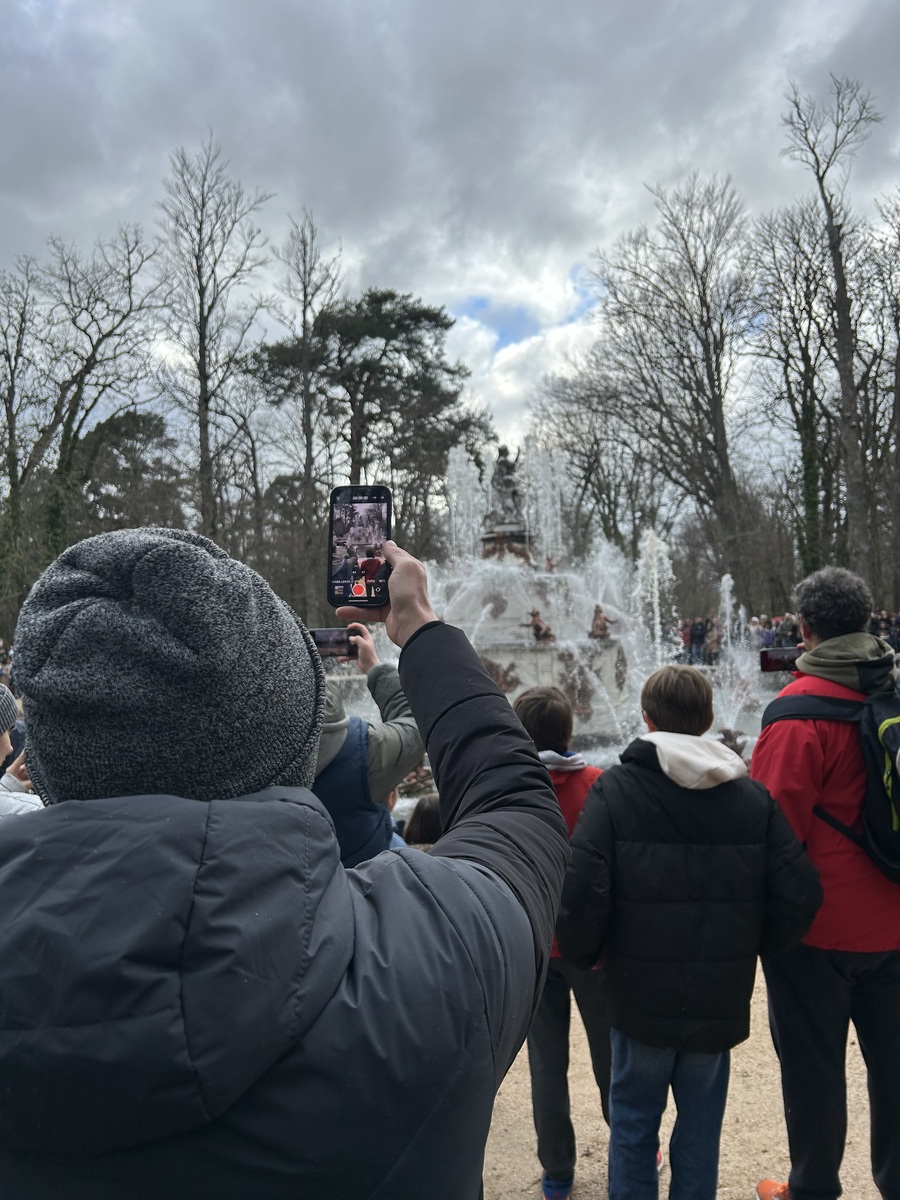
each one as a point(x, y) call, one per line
point(879, 721)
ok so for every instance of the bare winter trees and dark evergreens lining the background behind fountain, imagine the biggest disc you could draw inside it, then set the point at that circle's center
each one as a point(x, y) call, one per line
point(742, 398)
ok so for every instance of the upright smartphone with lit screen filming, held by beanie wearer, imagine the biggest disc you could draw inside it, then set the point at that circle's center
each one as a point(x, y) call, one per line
point(359, 524)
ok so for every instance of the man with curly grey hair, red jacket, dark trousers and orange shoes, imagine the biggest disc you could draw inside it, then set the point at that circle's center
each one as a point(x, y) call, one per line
point(848, 968)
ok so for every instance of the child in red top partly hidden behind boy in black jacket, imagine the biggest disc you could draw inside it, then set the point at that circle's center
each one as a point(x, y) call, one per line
point(548, 718)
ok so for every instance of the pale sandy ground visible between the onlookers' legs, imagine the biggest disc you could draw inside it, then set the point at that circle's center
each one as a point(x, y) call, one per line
point(754, 1143)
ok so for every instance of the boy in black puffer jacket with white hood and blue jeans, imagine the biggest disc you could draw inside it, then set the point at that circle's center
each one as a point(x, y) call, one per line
point(683, 872)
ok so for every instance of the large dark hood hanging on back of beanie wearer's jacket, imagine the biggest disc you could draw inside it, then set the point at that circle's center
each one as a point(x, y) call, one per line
point(160, 956)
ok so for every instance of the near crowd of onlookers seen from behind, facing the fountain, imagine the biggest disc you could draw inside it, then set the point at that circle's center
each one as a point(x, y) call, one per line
point(229, 971)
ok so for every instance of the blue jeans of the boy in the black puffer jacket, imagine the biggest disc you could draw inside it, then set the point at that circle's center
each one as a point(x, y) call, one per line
point(639, 1090)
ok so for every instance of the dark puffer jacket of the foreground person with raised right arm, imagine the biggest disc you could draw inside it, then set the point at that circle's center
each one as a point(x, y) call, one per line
point(200, 1004)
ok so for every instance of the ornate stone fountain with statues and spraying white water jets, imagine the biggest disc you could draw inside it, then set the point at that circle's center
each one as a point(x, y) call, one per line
point(597, 631)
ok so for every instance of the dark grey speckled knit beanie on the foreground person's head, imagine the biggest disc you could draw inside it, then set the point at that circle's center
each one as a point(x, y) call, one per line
point(149, 662)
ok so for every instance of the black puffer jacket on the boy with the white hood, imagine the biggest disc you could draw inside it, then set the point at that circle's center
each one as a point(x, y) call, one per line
point(681, 890)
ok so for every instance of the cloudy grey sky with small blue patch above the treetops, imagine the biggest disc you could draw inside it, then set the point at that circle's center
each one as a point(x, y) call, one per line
point(475, 153)
